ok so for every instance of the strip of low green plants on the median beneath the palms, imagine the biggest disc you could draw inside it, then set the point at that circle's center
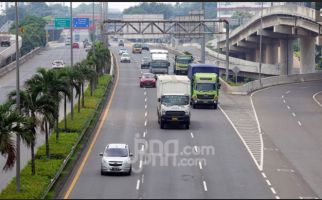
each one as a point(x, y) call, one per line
point(33, 187)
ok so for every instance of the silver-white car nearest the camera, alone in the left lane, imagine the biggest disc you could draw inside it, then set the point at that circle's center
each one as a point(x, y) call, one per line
point(116, 159)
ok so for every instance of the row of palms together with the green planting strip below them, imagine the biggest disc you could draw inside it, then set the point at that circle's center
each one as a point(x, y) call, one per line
point(39, 106)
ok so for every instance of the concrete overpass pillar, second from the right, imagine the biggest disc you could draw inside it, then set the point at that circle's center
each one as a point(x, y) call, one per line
point(286, 57)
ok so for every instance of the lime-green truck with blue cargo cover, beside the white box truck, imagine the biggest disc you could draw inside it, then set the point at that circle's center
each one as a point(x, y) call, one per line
point(204, 84)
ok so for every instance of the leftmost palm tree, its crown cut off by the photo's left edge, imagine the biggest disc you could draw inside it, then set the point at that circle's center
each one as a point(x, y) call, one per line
point(12, 123)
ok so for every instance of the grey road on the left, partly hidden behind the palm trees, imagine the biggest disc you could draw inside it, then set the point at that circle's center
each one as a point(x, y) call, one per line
point(27, 70)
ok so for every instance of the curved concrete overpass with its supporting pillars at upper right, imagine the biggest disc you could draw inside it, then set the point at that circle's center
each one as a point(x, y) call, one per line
point(281, 25)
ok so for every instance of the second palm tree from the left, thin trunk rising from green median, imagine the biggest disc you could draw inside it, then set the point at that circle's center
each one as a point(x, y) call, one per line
point(34, 105)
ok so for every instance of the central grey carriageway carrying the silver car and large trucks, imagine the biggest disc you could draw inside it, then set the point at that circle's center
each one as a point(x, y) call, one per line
point(228, 173)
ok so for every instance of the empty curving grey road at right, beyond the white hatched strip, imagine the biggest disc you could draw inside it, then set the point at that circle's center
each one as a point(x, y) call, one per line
point(291, 121)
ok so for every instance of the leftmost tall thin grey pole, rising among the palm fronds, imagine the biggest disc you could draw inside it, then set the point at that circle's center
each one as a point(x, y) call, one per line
point(17, 103)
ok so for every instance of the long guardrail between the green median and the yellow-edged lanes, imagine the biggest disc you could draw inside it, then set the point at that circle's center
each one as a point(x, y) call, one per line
point(53, 181)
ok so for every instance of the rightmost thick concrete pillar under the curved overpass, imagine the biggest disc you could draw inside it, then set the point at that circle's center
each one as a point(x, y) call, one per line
point(307, 58)
